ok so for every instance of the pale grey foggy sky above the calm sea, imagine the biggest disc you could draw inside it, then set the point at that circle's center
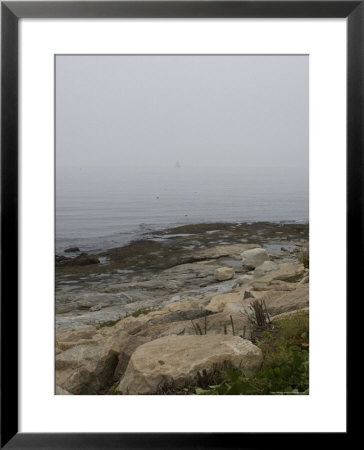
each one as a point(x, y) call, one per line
point(116, 112)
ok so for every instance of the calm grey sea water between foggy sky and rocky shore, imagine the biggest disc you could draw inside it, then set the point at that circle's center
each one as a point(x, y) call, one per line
point(96, 213)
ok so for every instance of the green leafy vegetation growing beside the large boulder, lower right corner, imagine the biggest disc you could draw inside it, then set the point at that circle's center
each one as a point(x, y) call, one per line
point(285, 367)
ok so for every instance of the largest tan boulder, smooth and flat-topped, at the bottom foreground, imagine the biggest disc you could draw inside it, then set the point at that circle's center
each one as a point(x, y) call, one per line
point(178, 359)
